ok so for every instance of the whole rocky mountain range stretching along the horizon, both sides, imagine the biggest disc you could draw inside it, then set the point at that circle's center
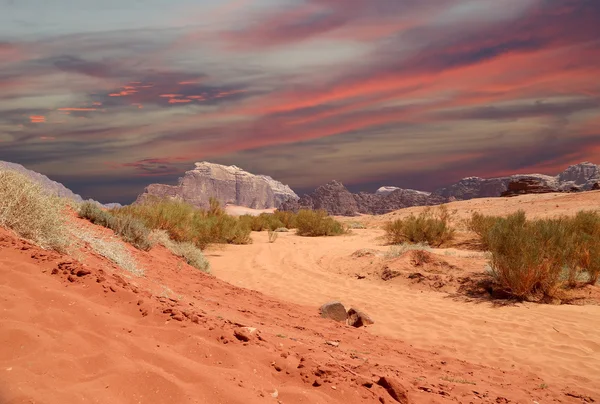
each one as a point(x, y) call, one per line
point(232, 185)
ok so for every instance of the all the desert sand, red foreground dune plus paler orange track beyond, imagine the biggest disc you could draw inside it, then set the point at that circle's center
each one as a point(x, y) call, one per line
point(80, 329)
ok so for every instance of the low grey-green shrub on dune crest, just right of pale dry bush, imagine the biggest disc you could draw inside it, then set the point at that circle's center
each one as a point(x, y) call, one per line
point(129, 228)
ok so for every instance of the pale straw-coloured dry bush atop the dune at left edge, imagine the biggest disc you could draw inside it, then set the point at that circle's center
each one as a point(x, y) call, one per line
point(30, 212)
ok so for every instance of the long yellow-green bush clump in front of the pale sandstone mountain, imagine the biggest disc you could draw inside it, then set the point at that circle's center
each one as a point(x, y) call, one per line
point(186, 223)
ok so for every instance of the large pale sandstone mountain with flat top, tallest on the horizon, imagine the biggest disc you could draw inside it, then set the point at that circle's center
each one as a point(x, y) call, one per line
point(228, 184)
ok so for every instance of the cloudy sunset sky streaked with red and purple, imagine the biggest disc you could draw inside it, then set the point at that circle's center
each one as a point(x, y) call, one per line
point(110, 96)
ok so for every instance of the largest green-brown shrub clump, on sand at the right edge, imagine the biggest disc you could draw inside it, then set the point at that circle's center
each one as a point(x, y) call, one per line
point(537, 257)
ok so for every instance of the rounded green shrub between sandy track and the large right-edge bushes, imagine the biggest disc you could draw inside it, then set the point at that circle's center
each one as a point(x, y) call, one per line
point(430, 227)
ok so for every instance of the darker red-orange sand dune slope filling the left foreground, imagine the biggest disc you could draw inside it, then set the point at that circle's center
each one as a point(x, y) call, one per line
point(89, 332)
